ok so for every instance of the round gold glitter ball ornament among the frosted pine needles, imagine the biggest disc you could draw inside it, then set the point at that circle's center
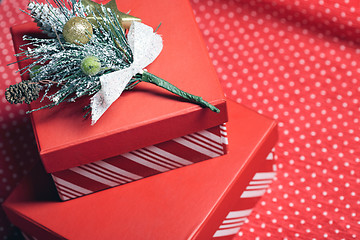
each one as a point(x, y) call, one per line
point(77, 30)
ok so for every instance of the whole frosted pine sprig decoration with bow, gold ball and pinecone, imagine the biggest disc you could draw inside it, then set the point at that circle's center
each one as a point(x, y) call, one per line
point(94, 59)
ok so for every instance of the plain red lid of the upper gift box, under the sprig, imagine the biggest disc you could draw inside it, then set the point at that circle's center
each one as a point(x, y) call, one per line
point(145, 115)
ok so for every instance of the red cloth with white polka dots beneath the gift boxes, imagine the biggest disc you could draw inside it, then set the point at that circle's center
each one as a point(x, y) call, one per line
point(294, 61)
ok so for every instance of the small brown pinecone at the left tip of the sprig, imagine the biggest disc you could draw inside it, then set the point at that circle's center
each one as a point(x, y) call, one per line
point(23, 92)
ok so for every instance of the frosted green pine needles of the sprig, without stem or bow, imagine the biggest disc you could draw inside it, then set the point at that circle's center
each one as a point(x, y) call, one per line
point(60, 61)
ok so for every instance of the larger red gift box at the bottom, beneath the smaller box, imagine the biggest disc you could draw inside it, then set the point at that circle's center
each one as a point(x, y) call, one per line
point(208, 200)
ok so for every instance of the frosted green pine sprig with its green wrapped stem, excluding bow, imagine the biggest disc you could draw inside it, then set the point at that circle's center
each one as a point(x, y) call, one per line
point(72, 67)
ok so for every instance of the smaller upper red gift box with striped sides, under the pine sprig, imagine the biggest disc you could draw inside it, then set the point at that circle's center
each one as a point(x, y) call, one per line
point(147, 130)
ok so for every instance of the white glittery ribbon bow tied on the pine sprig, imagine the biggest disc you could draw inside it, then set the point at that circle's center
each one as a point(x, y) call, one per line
point(146, 46)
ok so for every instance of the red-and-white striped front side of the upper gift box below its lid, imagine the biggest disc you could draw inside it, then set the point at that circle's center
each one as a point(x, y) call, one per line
point(131, 166)
